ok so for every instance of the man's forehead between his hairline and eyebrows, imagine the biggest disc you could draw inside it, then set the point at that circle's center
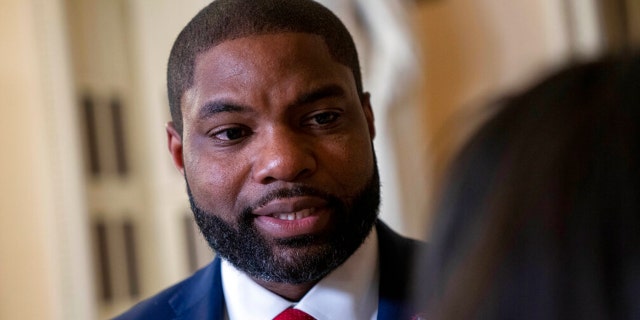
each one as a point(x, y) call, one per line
point(246, 67)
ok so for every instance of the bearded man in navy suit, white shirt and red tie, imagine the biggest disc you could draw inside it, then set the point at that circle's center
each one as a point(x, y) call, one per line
point(273, 134)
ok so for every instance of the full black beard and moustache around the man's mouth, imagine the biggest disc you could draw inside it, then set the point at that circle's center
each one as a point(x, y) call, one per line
point(244, 247)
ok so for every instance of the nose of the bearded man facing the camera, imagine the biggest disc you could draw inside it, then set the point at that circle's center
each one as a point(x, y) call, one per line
point(284, 156)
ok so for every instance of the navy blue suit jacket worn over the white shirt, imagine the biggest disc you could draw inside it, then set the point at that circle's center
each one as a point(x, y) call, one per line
point(201, 297)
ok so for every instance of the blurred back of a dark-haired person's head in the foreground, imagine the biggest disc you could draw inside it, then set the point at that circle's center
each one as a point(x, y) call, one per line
point(540, 218)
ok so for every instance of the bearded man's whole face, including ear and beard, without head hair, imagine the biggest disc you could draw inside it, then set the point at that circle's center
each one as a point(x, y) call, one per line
point(277, 154)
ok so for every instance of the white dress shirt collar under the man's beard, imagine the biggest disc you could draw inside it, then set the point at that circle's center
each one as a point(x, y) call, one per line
point(348, 292)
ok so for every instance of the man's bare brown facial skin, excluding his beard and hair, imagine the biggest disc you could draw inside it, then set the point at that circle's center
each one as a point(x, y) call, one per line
point(267, 112)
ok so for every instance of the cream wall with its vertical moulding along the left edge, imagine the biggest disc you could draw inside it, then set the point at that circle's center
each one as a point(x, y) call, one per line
point(43, 253)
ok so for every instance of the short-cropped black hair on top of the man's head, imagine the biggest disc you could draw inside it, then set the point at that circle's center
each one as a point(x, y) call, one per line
point(224, 20)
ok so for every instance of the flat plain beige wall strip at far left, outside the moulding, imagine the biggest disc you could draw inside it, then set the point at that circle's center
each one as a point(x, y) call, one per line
point(25, 252)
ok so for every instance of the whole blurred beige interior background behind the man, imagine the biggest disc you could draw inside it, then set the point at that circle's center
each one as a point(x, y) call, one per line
point(93, 216)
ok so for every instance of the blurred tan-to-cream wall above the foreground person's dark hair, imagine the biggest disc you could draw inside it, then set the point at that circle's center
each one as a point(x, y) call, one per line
point(477, 50)
